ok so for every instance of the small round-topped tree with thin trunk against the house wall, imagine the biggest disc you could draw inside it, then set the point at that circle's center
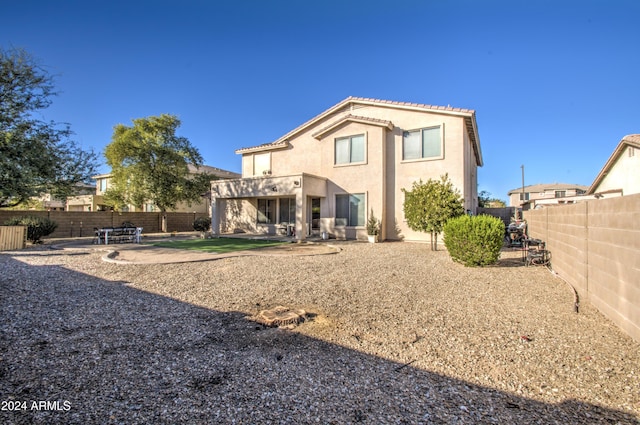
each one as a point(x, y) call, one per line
point(428, 206)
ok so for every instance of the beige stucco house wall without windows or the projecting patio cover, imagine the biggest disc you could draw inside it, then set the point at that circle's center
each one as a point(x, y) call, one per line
point(383, 174)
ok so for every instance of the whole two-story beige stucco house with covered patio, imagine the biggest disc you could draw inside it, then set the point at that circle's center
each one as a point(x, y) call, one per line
point(328, 174)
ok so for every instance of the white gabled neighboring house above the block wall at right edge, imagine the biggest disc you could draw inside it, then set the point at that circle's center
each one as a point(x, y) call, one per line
point(621, 173)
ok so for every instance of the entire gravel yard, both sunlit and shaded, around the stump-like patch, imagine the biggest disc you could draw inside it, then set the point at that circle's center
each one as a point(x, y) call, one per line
point(397, 334)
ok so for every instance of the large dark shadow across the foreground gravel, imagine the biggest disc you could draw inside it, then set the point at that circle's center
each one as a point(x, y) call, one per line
point(101, 352)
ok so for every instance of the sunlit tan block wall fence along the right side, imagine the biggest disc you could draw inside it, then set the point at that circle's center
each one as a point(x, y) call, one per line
point(595, 247)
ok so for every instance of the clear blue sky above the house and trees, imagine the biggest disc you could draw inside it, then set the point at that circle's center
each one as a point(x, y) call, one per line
point(555, 84)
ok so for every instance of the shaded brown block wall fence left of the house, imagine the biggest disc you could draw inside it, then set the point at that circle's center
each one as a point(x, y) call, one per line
point(73, 224)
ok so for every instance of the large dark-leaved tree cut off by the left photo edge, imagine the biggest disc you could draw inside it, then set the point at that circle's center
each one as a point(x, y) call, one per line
point(36, 157)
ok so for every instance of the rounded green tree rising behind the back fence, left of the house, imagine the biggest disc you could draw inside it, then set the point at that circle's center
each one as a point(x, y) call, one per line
point(150, 164)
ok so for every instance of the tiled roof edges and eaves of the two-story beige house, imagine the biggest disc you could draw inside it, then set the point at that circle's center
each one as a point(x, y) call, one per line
point(467, 114)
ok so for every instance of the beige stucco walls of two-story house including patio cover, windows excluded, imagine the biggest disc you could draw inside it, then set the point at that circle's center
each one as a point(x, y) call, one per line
point(381, 176)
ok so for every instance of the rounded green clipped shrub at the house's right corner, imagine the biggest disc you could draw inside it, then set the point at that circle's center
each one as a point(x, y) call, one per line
point(474, 240)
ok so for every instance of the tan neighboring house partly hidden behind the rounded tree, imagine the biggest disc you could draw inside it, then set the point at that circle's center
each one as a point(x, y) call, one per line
point(103, 181)
